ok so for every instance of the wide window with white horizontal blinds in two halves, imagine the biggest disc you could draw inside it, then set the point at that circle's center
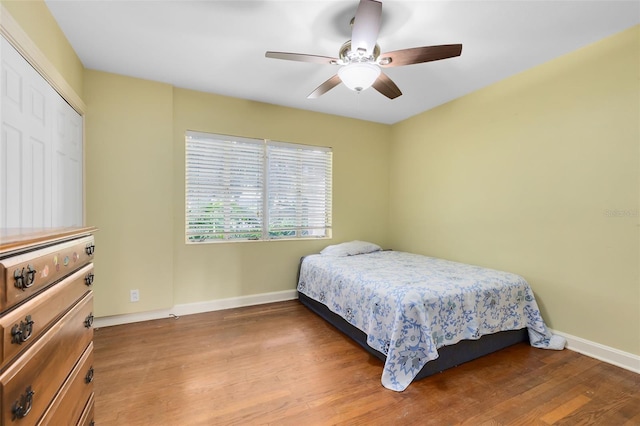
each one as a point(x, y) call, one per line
point(253, 189)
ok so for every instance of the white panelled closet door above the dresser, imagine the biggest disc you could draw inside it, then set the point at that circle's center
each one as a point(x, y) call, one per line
point(40, 149)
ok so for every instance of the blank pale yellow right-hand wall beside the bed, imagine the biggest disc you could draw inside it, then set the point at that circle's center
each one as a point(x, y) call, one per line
point(522, 175)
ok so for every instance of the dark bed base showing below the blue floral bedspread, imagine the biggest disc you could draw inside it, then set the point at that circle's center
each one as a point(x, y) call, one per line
point(450, 356)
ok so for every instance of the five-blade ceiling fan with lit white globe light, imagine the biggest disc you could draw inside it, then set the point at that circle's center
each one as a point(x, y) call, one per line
point(360, 59)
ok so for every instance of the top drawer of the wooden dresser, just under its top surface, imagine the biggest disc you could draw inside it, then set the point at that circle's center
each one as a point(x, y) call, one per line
point(24, 275)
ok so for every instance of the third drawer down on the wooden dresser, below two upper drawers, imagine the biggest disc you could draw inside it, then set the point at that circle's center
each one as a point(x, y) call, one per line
point(29, 384)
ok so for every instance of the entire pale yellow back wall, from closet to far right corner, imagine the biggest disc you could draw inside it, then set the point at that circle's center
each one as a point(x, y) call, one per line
point(135, 179)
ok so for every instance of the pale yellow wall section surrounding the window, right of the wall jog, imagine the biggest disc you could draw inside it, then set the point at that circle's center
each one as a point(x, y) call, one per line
point(360, 182)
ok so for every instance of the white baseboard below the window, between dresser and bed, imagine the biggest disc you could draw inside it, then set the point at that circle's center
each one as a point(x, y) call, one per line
point(197, 308)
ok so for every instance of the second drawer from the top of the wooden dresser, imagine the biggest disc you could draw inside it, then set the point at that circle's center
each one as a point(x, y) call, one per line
point(22, 326)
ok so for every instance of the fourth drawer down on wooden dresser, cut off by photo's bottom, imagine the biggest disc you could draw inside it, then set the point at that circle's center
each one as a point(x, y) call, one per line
point(70, 402)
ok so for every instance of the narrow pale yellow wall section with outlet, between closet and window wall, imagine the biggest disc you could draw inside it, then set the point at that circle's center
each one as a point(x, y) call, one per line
point(129, 180)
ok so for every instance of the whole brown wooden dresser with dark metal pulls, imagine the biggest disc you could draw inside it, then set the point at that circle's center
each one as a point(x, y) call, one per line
point(46, 305)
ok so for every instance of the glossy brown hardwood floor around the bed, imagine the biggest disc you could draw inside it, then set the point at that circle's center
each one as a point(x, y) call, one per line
point(280, 364)
